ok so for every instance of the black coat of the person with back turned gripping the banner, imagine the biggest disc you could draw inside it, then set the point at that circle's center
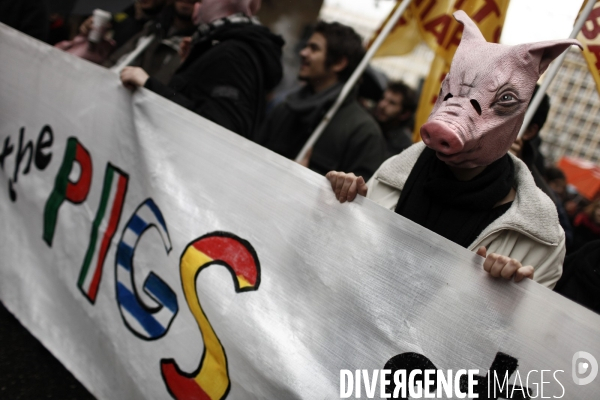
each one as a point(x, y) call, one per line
point(227, 75)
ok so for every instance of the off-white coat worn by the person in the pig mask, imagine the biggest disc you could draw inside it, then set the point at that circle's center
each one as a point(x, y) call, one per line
point(528, 232)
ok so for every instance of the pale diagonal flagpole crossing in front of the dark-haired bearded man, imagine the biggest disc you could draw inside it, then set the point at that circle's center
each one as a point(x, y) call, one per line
point(353, 79)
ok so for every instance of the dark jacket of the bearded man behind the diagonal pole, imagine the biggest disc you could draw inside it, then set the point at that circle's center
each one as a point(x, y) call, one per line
point(352, 142)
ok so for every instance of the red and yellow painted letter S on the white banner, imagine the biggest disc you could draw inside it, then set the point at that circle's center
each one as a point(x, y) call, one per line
point(210, 381)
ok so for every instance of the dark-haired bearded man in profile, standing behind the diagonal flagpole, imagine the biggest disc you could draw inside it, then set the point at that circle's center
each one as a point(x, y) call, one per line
point(352, 141)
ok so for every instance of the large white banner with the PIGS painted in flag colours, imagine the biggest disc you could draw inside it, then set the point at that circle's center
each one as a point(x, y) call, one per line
point(157, 255)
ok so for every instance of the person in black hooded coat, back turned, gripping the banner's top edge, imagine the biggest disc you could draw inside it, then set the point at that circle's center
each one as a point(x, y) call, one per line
point(233, 62)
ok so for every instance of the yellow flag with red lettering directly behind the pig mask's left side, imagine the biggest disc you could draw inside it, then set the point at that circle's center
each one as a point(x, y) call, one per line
point(442, 33)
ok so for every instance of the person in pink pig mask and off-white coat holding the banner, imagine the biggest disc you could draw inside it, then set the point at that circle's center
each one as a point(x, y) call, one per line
point(460, 181)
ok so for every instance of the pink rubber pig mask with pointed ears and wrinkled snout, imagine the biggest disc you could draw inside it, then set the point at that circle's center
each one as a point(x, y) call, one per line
point(483, 99)
